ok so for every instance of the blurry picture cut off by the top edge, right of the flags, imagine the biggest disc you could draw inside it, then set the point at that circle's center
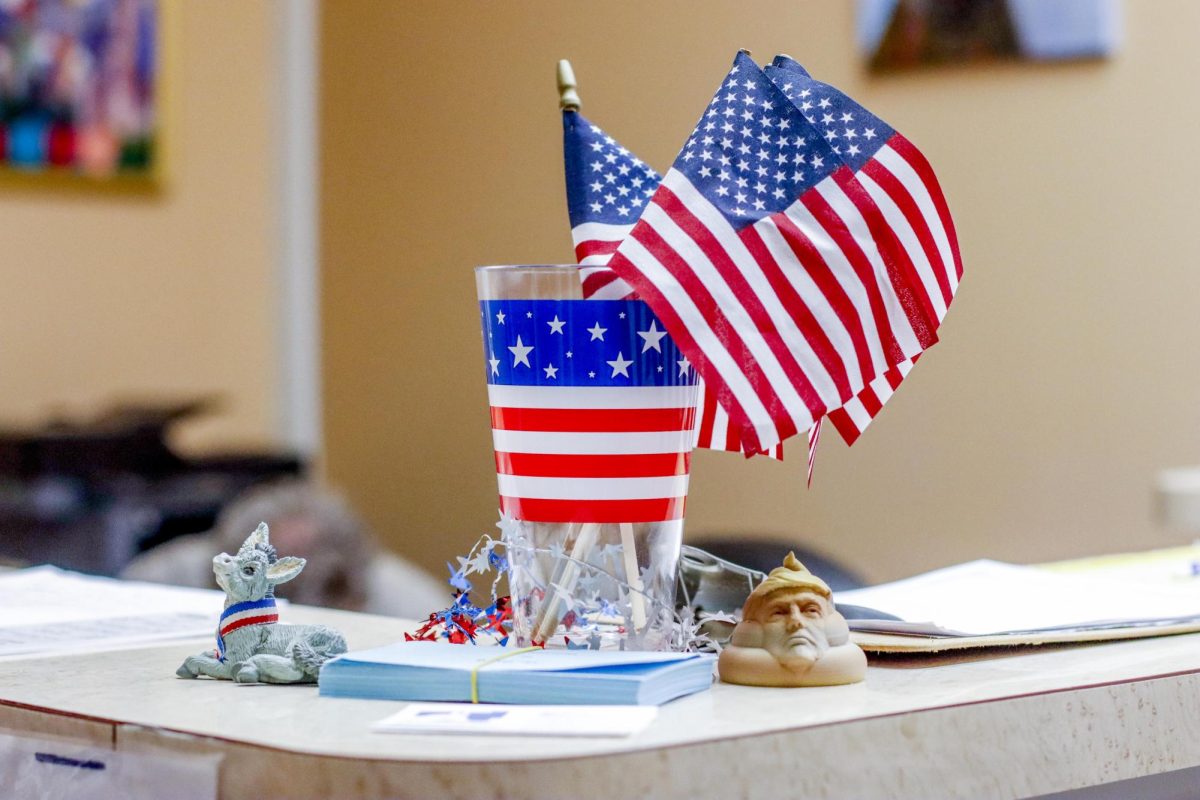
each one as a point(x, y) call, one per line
point(907, 34)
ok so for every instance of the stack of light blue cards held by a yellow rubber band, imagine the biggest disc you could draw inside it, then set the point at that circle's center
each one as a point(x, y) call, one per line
point(437, 671)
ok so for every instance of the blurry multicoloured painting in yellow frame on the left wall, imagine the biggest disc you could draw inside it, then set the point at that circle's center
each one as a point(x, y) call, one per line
point(80, 91)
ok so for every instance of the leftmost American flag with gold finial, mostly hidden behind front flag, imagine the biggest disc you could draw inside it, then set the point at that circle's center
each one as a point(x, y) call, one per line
point(608, 187)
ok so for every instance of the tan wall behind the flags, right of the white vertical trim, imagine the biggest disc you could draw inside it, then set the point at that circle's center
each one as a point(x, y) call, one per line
point(1066, 375)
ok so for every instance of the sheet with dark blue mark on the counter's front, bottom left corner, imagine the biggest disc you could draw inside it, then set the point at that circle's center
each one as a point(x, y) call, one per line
point(61, 771)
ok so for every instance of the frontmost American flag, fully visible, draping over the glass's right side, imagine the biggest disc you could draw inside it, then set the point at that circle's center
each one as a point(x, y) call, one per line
point(776, 272)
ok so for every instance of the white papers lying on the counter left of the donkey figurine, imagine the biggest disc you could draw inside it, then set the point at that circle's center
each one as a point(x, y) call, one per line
point(46, 610)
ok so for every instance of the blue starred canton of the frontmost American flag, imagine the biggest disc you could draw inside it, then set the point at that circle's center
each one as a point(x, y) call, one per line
point(753, 153)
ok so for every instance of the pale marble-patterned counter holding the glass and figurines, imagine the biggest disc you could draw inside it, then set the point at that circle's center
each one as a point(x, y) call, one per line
point(1017, 725)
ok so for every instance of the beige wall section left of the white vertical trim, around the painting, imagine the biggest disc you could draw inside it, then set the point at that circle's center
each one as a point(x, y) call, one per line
point(171, 294)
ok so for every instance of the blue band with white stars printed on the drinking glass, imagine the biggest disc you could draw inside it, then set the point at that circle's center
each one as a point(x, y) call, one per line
point(580, 344)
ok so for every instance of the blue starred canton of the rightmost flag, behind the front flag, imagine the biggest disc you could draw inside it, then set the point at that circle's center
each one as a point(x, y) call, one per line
point(853, 133)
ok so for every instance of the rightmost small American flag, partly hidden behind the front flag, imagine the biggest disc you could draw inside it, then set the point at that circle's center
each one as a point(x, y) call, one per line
point(903, 185)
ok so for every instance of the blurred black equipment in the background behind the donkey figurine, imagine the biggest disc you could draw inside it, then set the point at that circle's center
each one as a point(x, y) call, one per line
point(92, 495)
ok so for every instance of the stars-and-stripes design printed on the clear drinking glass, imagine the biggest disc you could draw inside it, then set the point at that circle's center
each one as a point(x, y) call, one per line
point(593, 408)
